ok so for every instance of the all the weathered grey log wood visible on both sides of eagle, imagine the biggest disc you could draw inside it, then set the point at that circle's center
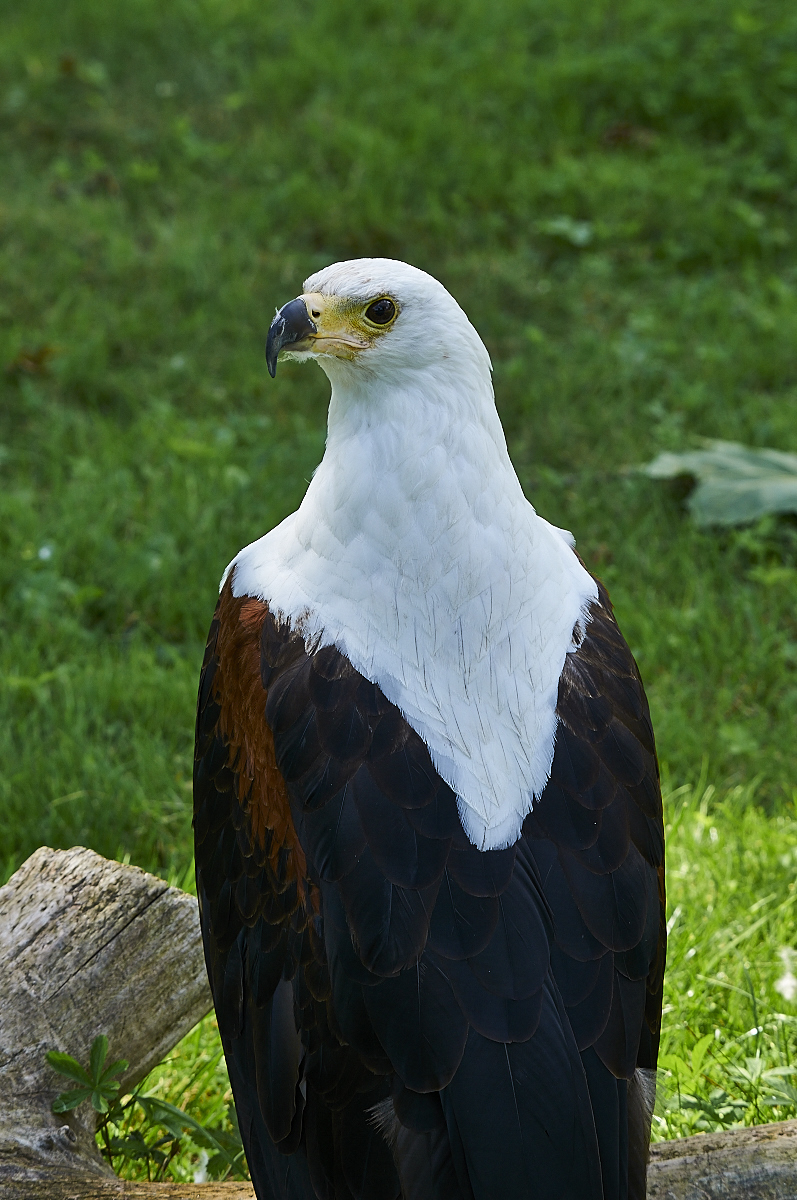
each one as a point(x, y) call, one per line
point(89, 947)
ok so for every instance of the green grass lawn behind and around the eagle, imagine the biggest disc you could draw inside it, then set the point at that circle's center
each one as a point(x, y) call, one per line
point(610, 190)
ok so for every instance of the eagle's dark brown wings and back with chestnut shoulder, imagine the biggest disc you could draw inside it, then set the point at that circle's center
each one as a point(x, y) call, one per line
point(376, 979)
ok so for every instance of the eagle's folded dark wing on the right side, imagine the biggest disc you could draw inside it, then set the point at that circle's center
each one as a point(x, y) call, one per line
point(597, 836)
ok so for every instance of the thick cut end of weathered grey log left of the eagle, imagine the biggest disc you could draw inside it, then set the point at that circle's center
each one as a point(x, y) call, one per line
point(88, 946)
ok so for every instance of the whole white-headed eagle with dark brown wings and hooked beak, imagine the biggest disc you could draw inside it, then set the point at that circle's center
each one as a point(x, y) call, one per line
point(428, 815)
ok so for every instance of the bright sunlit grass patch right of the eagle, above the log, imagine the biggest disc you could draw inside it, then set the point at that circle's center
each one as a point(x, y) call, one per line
point(727, 1025)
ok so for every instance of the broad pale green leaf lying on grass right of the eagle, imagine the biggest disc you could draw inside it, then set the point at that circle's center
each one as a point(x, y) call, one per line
point(735, 484)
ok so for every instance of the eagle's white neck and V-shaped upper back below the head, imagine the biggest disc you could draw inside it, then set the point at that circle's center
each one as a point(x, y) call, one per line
point(417, 555)
